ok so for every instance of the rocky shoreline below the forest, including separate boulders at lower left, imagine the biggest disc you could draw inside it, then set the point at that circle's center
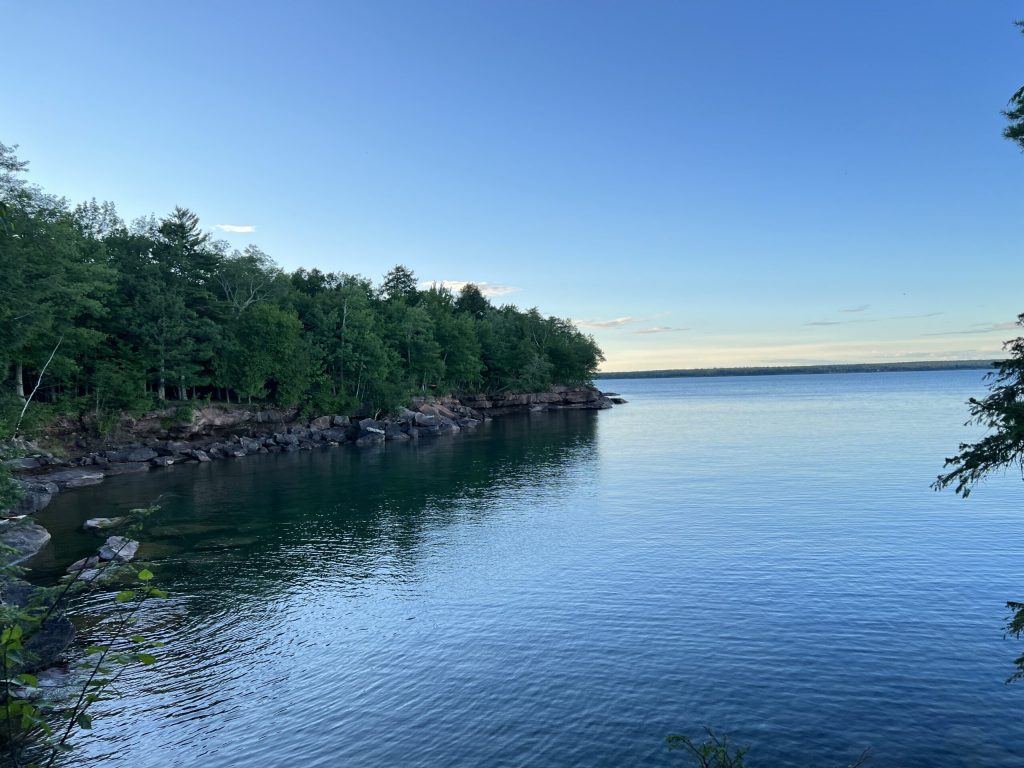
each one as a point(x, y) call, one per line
point(210, 434)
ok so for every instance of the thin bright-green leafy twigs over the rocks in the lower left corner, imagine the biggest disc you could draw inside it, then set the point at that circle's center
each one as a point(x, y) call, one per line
point(36, 726)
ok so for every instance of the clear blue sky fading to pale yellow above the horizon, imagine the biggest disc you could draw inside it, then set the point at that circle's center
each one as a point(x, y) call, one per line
point(695, 184)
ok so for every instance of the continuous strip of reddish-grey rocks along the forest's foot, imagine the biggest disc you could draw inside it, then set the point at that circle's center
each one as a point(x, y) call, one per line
point(209, 434)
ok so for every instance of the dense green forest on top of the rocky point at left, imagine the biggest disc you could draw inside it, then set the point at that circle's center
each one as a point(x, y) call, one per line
point(104, 318)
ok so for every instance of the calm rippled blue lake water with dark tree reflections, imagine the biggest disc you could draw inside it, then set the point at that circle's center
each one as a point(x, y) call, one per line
point(762, 556)
